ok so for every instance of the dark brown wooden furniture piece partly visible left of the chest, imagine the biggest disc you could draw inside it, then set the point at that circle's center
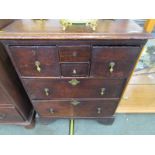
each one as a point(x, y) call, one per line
point(15, 107)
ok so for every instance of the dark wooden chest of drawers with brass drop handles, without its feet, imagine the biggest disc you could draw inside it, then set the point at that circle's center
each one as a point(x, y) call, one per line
point(76, 73)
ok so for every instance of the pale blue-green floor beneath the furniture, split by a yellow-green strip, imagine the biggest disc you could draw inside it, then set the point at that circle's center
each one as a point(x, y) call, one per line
point(125, 124)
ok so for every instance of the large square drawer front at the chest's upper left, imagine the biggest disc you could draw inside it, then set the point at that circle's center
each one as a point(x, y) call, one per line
point(36, 60)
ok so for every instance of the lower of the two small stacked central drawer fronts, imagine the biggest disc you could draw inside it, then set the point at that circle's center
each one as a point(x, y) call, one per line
point(74, 69)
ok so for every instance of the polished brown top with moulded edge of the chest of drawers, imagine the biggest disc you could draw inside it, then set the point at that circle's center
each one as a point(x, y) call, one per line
point(52, 29)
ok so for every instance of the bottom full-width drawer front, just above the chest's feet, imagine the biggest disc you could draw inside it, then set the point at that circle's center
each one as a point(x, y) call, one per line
point(76, 108)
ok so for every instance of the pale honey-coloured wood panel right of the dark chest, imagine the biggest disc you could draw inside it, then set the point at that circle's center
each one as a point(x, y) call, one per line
point(138, 99)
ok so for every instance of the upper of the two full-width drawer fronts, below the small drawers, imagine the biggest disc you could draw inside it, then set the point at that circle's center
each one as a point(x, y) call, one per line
point(40, 89)
